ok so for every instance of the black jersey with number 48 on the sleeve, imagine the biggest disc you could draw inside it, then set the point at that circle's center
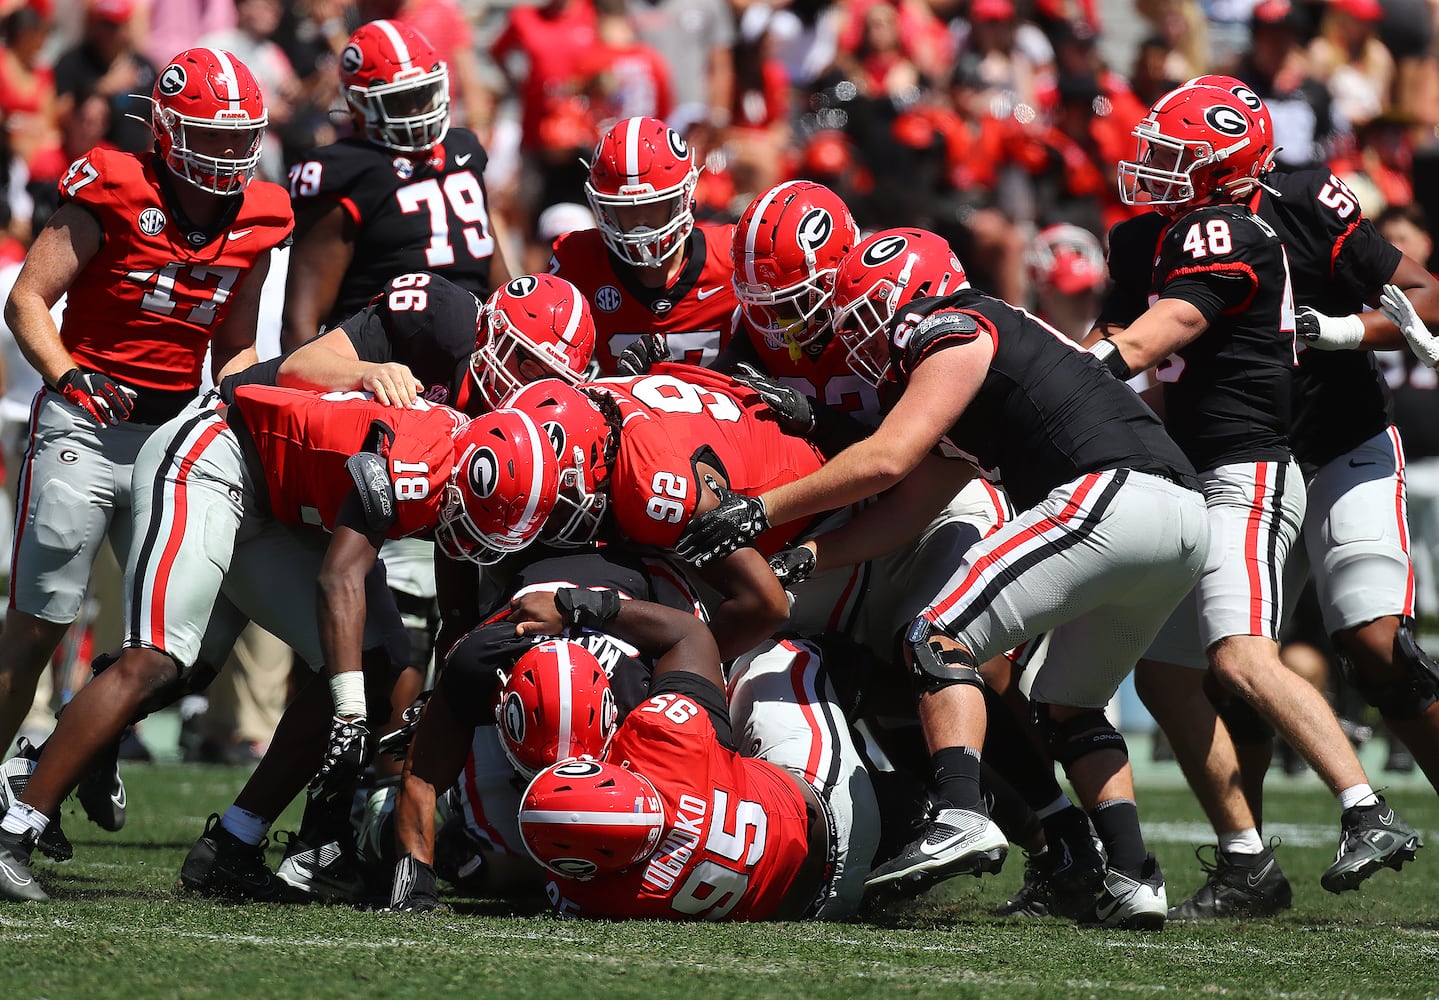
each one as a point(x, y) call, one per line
point(1227, 394)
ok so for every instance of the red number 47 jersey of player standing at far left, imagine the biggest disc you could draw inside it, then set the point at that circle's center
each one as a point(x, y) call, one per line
point(145, 307)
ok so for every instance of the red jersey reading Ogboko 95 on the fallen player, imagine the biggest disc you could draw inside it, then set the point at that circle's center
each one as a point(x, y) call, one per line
point(736, 828)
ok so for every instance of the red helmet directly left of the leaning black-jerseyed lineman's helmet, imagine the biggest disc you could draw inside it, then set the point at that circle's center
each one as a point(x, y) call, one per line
point(786, 250)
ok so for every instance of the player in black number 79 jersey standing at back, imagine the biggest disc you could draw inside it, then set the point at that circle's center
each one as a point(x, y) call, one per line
point(407, 194)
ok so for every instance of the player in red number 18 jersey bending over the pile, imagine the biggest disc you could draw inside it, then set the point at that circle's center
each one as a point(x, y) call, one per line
point(230, 494)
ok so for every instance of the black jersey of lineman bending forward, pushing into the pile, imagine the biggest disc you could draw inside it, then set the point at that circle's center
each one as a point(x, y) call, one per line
point(1047, 414)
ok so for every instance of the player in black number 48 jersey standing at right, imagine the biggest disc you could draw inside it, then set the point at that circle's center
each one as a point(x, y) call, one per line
point(1222, 335)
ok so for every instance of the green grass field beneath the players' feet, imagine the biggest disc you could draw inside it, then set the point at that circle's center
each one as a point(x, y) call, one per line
point(120, 929)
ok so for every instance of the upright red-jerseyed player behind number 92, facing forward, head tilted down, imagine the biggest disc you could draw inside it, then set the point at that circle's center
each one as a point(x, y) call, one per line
point(650, 268)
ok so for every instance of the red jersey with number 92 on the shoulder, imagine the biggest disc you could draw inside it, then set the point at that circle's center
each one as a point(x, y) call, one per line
point(677, 418)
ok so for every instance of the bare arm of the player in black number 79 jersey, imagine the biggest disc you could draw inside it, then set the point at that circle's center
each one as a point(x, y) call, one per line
point(324, 247)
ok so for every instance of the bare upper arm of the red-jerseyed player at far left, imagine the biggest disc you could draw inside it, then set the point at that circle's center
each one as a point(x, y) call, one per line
point(67, 244)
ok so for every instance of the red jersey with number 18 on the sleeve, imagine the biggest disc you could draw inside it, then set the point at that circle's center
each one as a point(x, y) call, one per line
point(303, 441)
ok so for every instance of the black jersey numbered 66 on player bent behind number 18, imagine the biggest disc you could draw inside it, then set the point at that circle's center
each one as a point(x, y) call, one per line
point(425, 323)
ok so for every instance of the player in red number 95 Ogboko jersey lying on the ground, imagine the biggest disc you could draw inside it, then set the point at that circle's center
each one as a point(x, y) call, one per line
point(729, 837)
